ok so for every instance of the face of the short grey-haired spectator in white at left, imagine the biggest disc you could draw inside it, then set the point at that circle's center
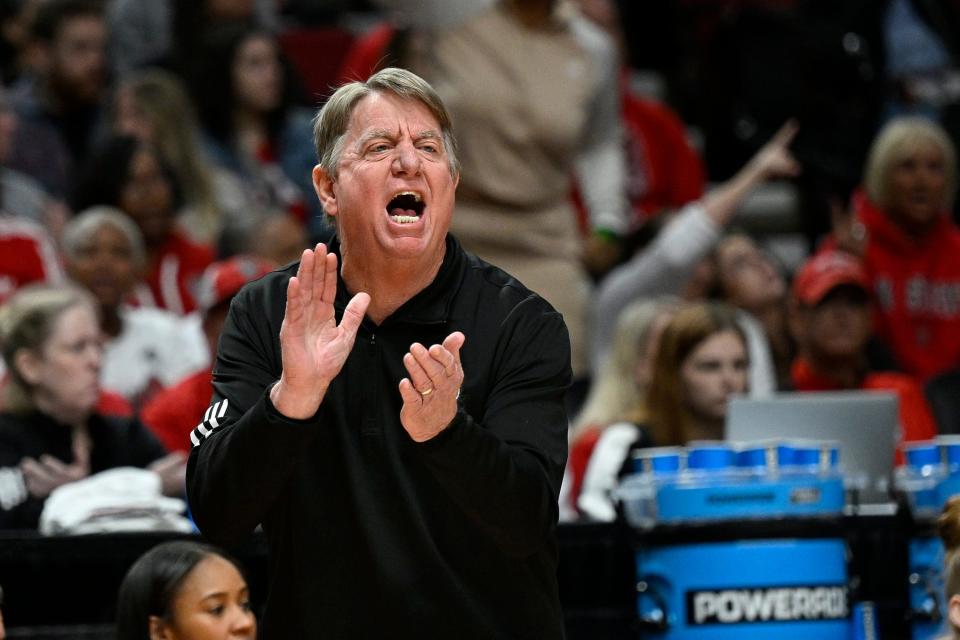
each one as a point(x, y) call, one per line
point(104, 264)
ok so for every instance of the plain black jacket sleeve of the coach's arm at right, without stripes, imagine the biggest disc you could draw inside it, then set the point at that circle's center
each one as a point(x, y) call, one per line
point(505, 468)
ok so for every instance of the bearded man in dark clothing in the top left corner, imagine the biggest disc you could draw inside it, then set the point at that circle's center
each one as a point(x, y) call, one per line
point(59, 101)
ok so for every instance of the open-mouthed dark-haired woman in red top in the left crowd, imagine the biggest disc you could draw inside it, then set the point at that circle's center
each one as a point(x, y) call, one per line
point(130, 175)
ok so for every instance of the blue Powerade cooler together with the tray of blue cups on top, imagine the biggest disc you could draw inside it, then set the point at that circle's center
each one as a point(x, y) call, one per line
point(740, 544)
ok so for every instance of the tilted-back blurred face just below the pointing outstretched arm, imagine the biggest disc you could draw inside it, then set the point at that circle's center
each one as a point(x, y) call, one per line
point(747, 275)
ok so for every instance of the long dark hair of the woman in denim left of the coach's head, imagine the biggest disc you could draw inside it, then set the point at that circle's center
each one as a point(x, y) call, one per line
point(212, 82)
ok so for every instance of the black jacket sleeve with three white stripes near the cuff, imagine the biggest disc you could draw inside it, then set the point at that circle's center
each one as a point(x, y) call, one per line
point(242, 446)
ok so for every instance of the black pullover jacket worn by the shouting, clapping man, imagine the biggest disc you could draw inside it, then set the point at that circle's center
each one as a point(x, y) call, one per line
point(373, 535)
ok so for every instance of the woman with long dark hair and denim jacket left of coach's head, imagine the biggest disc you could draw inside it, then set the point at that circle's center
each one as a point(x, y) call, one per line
point(246, 99)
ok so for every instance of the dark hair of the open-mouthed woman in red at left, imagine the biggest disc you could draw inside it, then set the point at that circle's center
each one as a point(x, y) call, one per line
point(104, 176)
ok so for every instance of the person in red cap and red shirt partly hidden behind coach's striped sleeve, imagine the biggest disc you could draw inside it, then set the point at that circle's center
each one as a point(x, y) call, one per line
point(173, 412)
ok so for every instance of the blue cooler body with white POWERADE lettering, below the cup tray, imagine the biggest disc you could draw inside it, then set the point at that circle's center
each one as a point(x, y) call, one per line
point(736, 588)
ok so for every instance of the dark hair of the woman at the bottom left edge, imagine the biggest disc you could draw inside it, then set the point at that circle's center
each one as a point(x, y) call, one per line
point(152, 584)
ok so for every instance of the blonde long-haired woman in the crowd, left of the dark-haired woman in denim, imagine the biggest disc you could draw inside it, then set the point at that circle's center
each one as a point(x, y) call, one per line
point(153, 106)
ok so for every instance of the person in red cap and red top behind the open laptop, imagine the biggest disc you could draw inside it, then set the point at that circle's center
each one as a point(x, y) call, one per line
point(830, 320)
